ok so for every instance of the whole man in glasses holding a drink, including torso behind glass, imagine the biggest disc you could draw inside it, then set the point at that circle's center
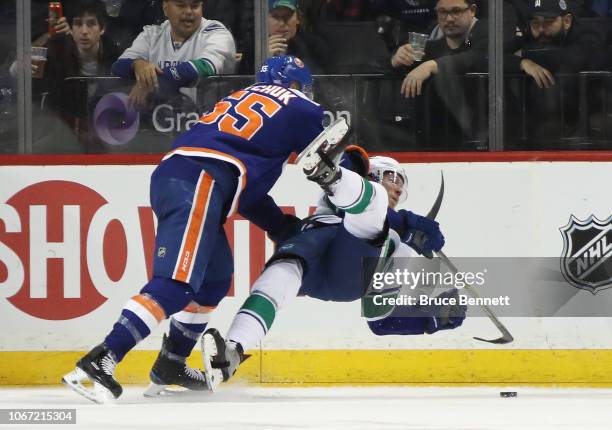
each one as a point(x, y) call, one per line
point(444, 118)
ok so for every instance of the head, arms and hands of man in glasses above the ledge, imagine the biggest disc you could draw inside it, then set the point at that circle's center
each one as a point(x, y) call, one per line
point(463, 48)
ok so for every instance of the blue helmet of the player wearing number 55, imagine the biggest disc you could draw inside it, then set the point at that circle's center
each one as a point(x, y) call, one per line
point(287, 71)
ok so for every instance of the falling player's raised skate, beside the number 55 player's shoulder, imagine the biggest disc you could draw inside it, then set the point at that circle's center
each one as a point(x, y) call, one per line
point(320, 159)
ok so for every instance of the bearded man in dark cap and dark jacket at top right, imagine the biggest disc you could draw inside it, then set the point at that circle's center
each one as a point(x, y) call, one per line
point(555, 47)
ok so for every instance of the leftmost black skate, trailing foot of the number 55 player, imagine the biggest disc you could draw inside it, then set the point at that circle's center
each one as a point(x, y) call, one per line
point(98, 366)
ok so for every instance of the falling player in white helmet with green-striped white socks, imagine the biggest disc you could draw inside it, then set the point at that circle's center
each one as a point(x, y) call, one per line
point(324, 260)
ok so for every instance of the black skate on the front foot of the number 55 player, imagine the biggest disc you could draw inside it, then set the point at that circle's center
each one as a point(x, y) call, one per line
point(171, 369)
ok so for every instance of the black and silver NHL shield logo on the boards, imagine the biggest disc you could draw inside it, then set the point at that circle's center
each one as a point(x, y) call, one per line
point(586, 262)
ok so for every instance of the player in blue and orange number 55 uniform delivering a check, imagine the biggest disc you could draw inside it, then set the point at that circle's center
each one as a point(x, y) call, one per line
point(226, 163)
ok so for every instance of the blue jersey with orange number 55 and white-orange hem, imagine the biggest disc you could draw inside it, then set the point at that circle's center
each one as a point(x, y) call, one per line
point(255, 129)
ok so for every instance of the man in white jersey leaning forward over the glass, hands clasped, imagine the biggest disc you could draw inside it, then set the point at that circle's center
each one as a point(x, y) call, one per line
point(177, 53)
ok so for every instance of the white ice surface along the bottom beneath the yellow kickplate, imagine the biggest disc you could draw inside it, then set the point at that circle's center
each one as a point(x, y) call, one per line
point(237, 407)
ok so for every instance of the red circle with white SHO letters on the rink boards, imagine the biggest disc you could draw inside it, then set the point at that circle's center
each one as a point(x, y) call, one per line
point(62, 250)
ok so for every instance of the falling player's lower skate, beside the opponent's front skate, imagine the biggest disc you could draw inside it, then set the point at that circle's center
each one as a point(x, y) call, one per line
point(221, 358)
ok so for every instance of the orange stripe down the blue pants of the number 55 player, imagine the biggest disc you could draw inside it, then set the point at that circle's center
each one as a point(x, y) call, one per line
point(195, 225)
